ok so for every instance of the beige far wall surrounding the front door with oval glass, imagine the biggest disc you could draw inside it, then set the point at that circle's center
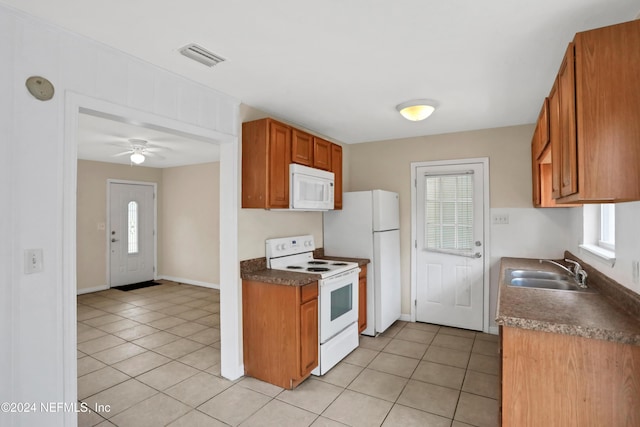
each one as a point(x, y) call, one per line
point(92, 211)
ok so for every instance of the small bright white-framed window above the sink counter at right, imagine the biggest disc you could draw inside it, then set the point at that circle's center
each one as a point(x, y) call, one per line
point(599, 231)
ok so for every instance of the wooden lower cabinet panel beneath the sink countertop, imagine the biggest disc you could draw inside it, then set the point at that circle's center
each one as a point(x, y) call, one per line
point(561, 380)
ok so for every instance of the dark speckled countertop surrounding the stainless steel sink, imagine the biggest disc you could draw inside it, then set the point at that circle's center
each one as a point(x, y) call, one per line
point(587, 314)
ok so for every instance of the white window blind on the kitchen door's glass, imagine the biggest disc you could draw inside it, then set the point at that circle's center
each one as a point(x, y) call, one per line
point(449, 213)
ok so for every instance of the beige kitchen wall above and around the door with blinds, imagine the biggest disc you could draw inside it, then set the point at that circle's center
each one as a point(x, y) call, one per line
point(386, 165)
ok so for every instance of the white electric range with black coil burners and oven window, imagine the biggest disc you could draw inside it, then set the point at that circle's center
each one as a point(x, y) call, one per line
point(337, 295)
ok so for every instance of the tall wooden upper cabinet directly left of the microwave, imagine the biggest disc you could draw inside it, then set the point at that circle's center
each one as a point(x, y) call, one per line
point(266, 154)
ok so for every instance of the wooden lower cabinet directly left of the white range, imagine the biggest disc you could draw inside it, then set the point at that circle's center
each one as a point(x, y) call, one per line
point(280, 332)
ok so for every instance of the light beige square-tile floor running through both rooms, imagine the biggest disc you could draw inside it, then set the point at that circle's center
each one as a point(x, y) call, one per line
point(151, 357)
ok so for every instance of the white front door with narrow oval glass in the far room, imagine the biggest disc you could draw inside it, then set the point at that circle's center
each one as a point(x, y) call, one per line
point(131, 233)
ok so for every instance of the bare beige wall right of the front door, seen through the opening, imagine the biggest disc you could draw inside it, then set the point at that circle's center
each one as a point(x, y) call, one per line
point(191, 223)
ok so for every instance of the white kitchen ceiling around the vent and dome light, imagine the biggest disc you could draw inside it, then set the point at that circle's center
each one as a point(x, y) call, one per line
point(340, 67)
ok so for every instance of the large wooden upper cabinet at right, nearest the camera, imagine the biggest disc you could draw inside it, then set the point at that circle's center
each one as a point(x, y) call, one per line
point(599, 107)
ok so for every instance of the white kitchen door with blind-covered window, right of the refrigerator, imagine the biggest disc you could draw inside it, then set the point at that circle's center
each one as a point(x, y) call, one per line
point(449, 245)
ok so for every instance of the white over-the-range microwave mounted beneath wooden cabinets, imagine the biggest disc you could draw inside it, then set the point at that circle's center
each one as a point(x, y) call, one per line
point(310, 189)
